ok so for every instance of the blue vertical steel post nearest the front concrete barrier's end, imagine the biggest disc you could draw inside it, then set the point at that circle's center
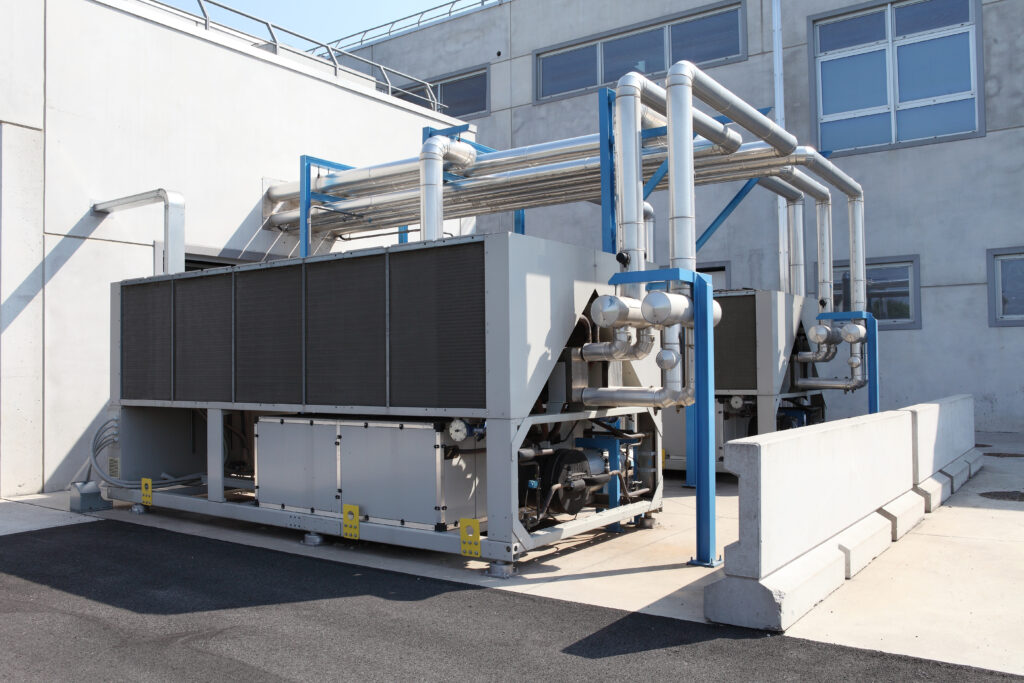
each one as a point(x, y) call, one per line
point(704, 345)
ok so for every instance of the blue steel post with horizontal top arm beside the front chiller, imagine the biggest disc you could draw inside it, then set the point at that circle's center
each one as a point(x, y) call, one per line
point(703, 422)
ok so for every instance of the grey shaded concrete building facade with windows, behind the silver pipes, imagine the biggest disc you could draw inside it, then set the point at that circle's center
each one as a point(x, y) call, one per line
point(921, 101)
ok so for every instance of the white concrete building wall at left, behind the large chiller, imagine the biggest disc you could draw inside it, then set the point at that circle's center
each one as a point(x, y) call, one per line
point(138, 98)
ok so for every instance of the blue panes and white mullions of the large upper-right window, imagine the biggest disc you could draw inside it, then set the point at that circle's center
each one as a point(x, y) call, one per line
point(900, 73)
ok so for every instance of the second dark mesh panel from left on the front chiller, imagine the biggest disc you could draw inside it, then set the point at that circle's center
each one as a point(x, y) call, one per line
point(203, 338)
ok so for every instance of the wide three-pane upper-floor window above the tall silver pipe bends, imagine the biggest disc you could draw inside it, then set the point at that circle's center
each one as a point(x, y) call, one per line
point(707, 38)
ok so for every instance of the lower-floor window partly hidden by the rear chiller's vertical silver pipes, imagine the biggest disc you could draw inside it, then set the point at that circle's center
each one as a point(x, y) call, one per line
point(893, 291)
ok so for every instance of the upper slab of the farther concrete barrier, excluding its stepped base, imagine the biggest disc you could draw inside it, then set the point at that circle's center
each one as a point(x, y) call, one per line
point(944, 431)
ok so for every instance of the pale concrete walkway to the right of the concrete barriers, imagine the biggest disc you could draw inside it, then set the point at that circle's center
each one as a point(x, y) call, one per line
point(953, 589)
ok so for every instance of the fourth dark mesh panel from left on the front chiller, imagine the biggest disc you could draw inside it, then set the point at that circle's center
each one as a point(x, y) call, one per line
point(347, 362)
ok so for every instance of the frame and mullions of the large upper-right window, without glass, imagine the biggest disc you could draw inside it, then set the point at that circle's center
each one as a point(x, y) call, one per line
point(891, 45)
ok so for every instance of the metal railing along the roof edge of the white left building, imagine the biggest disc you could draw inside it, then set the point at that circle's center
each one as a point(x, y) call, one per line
point(279, 39)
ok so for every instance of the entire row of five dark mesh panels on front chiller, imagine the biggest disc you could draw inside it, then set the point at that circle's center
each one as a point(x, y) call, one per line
point(391, 329)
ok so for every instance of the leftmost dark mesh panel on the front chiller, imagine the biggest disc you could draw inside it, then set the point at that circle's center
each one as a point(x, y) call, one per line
point(146, 341)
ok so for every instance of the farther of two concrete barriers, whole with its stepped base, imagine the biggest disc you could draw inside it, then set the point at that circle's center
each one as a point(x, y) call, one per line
point(945, 457)
